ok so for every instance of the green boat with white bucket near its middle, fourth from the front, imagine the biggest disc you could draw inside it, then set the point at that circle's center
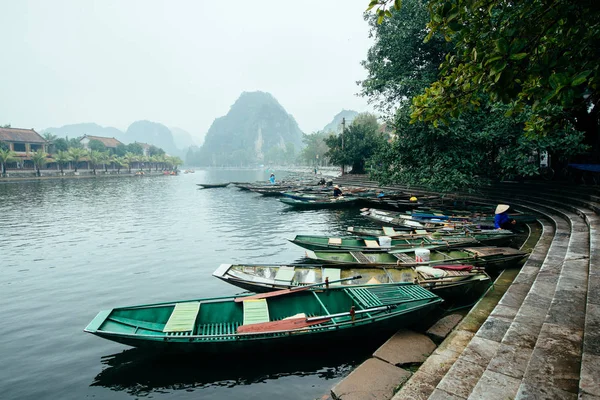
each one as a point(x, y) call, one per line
point(374, 244)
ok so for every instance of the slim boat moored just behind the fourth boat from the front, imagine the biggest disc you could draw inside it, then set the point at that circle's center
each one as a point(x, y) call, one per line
point(492, 237)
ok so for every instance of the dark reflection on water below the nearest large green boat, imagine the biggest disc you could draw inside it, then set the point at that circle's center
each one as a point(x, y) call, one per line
point(140, 373)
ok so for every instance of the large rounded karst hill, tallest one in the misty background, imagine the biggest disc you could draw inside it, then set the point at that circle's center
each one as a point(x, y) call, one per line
point(257, 129)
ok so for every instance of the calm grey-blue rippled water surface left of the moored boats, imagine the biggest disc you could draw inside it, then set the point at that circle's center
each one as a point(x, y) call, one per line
point(69, 248)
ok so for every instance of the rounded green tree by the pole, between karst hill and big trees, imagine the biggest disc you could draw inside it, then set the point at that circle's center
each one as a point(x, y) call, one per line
point(357, 144)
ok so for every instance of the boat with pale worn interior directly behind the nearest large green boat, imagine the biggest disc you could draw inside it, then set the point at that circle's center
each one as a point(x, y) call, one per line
point(447, 283)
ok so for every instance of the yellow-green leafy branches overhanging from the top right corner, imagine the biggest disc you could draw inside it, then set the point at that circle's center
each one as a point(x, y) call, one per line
point(529, 53)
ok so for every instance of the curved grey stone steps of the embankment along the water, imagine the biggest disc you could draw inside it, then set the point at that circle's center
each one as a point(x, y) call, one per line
point(537, 339)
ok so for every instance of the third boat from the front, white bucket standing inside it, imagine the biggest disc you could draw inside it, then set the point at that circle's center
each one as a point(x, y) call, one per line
point(490, 258)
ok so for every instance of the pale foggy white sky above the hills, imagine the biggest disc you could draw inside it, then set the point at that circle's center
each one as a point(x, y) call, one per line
point(180, 63)
